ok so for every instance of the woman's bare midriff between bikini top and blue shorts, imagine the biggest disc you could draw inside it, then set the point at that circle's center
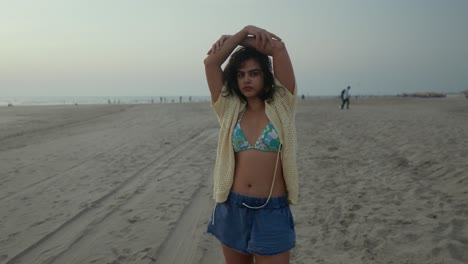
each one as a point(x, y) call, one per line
point(254, 172)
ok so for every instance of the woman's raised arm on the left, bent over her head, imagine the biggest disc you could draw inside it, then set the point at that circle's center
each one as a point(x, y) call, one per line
point(221, 50)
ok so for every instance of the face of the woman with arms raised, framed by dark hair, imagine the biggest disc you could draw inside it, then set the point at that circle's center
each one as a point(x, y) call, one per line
point(250, 78)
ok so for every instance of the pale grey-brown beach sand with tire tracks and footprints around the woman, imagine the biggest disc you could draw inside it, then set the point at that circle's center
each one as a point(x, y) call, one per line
point(383, 182)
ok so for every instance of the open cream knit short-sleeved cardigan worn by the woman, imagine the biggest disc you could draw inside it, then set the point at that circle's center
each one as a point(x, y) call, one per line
point(281, 112)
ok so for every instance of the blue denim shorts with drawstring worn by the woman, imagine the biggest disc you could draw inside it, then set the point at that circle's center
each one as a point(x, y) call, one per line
point(265, 231)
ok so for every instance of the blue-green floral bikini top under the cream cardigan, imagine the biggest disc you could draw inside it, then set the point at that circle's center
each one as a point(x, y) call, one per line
point(268, 140)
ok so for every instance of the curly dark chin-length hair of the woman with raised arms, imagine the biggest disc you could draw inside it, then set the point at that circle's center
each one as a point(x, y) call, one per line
point(230, 73)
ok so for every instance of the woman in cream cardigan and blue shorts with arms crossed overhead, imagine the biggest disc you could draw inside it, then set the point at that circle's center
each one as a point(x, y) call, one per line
point(255, 174)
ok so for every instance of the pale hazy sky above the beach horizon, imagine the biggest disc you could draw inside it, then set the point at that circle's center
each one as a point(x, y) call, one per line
point(156, 48)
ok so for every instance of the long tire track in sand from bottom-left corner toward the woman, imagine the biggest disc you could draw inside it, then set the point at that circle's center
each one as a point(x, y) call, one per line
point(56, 243)
